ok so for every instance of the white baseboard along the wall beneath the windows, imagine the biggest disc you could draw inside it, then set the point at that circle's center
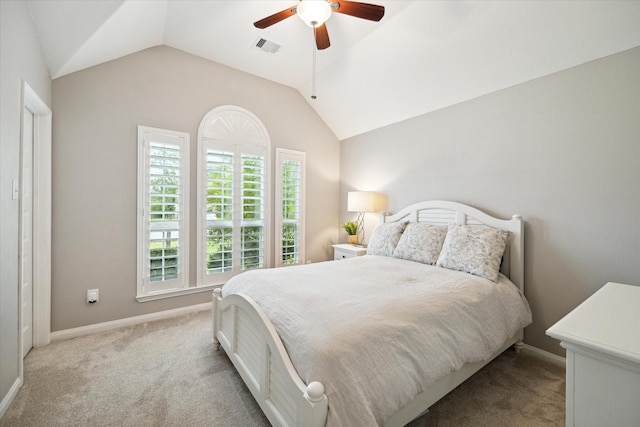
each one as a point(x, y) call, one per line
point(129, 321)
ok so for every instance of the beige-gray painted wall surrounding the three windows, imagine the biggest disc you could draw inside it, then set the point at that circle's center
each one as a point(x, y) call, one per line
point(96, 114)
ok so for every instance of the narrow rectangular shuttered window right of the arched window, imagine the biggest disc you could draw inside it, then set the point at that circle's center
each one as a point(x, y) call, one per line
point(289, 233)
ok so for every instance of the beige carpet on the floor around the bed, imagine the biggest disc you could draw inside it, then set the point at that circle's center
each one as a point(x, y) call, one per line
point(165, 373)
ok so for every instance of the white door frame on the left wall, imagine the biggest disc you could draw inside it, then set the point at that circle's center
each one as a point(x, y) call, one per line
point(41, 218)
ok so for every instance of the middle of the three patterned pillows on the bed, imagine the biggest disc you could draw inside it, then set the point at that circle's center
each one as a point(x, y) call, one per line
point(421, 242)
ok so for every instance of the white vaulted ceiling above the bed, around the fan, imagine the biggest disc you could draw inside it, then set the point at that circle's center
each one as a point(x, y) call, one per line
point(422, 56)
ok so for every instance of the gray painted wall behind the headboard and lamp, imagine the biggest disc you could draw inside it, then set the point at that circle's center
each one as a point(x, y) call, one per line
point(563, 151)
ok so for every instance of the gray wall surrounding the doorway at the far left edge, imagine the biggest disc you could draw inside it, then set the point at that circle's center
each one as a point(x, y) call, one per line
point(22, 59)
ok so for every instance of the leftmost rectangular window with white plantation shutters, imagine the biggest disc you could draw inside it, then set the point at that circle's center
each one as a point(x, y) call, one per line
point(163, 211)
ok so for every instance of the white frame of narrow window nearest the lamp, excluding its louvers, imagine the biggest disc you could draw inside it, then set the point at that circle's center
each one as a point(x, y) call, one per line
point(283, 155)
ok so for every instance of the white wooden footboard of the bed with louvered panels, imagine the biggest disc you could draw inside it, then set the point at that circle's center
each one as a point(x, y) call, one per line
point(258, 354)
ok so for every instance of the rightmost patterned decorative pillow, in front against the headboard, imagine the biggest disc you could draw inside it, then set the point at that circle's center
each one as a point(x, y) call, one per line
point(473, 249)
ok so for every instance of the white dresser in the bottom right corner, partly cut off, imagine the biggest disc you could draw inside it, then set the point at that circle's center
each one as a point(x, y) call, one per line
point(602, 339)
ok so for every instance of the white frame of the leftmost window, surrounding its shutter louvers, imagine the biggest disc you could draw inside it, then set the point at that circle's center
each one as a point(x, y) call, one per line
point(146, 289)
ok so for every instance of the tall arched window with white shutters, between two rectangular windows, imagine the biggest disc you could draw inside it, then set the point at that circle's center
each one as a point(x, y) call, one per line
point(233, 195)
